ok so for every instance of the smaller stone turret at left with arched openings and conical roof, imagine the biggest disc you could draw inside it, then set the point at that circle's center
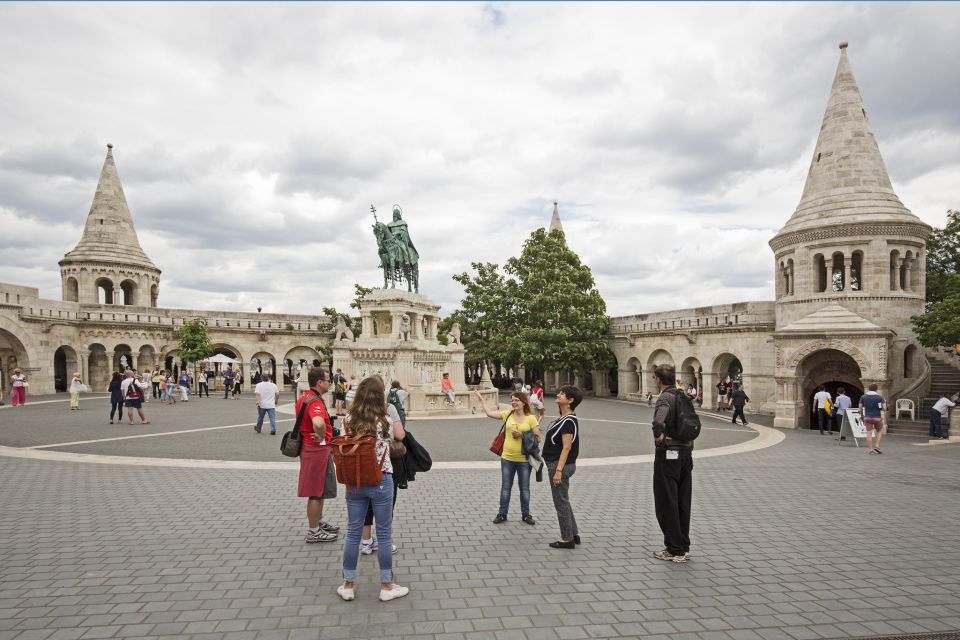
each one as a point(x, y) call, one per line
point(108, 266)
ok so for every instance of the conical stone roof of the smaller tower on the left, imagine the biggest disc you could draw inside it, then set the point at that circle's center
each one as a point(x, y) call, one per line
point(108, 235)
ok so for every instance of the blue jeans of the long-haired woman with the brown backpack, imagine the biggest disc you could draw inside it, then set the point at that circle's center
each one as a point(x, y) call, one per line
point(381, 498)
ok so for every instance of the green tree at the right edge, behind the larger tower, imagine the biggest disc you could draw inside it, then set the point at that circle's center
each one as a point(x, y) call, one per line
point(940, 325)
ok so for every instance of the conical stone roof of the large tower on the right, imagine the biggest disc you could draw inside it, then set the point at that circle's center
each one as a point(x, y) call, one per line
point(847, 181)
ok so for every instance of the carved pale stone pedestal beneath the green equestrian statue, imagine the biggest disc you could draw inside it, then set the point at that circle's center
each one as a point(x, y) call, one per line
point(398, 341)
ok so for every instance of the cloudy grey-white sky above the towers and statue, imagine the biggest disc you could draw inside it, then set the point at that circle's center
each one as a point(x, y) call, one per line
point(252, 138)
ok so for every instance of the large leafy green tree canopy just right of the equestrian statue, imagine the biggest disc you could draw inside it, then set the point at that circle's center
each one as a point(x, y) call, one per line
point(544, 313)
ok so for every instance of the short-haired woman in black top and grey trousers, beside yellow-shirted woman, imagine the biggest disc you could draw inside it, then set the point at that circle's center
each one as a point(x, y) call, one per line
point(561, 445)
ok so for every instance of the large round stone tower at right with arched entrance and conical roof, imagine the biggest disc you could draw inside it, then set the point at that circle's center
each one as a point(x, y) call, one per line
point(849, 270)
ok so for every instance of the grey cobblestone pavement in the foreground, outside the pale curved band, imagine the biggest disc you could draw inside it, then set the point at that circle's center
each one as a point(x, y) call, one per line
point(805, 539)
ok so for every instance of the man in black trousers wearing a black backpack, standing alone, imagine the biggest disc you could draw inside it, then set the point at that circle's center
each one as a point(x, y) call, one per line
point(675, 427)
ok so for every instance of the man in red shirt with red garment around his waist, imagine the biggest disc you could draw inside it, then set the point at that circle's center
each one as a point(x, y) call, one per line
point(316, 430)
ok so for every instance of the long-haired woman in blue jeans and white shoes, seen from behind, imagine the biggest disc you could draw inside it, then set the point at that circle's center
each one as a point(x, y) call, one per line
point(367, 415)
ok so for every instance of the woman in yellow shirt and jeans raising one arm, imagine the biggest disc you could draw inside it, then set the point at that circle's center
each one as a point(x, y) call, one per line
point(518, 419)
